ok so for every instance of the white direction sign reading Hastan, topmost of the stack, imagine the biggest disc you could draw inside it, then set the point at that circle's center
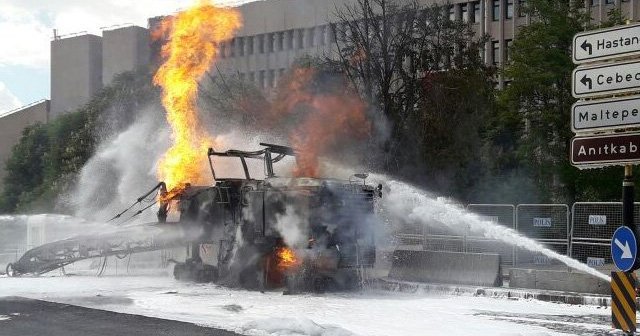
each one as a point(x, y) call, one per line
point(595, 45)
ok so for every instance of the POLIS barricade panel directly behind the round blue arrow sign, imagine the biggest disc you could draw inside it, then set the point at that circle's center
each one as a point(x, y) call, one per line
point(593, 225)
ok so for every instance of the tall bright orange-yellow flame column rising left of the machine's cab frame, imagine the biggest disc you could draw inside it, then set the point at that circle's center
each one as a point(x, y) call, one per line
point(192, 38)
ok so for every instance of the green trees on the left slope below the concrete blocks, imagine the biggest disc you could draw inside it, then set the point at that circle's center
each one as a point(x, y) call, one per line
point(48, 157)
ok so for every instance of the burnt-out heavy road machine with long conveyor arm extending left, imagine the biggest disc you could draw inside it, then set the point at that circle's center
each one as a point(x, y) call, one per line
point(300, 233)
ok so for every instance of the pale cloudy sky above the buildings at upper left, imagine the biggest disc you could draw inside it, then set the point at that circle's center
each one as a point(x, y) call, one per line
point(26, 29)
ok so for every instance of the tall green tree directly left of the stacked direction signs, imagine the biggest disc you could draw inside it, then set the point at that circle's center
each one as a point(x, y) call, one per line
point(535, 107)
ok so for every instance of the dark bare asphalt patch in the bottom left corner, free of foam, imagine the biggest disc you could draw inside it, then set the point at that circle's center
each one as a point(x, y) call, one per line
point(26, 317)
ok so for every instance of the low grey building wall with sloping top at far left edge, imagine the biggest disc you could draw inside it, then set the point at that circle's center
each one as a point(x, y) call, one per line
point(13, 123)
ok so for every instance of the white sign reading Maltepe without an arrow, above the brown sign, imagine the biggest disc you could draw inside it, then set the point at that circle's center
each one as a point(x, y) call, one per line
point(606, 114)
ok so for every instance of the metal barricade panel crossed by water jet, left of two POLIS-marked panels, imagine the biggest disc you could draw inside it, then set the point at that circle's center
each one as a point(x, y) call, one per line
point(477, 242)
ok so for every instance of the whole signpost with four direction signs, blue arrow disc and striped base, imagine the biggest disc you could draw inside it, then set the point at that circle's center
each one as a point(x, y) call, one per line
point(617, 116)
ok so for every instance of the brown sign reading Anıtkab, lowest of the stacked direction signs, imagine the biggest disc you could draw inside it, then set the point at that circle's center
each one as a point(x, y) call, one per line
point(605, 150)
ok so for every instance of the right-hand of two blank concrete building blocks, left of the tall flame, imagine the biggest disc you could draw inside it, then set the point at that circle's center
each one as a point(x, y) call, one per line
point(124, 49)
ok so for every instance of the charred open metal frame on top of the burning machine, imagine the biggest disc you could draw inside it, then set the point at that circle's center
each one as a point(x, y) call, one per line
point(264, 154)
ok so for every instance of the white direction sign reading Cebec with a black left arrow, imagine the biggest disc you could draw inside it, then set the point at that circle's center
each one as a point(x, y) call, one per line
point(606, 79)
